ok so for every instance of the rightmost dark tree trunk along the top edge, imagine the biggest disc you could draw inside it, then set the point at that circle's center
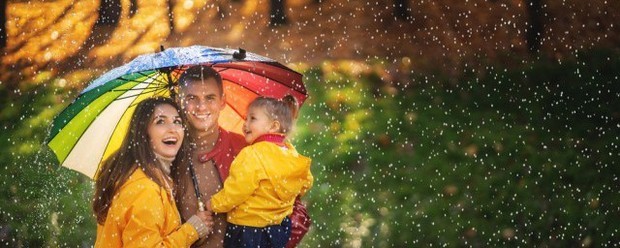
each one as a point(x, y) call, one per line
point(535, 25)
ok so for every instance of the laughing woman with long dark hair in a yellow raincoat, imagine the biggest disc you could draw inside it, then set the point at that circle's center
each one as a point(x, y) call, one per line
point(134, 202)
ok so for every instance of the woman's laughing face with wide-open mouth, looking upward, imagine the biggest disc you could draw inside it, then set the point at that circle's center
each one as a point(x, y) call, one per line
point(165, 131)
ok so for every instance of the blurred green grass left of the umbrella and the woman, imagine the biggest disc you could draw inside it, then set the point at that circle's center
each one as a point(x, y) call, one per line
point(41, 206)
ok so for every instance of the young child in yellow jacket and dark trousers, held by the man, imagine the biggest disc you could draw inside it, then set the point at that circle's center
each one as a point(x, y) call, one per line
point(265, 178)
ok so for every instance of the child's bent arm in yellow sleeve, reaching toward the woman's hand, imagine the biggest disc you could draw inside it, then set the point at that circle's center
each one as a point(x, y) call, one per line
point(245, 175)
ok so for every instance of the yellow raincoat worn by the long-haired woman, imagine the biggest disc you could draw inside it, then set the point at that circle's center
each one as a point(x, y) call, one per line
point(143, 214)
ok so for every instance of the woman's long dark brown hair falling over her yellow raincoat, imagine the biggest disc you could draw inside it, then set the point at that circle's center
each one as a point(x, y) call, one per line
point(135, 152)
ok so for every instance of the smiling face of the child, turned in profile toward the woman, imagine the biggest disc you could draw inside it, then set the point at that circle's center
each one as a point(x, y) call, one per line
point(257, 123)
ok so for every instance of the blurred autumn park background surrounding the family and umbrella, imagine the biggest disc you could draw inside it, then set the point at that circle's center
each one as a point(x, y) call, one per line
point(480, 123)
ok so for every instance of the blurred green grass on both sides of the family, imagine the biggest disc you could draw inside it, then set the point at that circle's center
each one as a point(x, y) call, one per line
point(493, 157)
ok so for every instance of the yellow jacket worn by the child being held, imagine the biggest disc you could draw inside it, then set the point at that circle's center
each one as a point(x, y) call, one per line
point(263, 183)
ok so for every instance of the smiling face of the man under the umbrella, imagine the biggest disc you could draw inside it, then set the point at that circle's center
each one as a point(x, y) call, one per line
point(202, 103)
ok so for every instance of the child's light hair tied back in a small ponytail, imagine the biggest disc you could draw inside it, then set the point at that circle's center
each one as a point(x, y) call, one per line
point(282, 110)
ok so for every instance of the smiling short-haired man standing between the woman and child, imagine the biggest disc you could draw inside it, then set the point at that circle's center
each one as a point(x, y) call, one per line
point(201, 97)
